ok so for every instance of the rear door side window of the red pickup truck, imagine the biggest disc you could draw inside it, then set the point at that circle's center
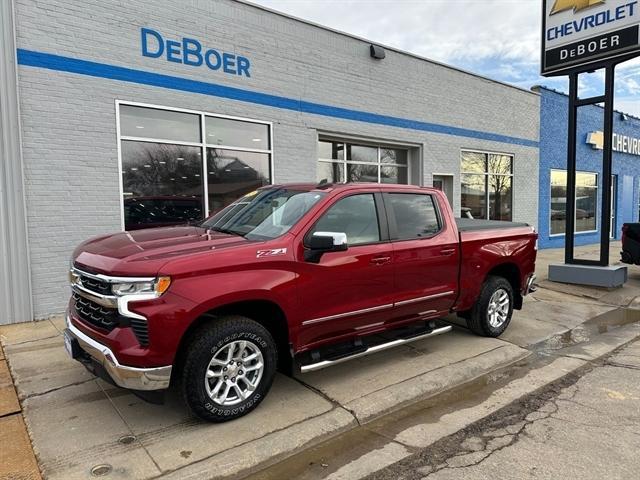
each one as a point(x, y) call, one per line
point(415, 215)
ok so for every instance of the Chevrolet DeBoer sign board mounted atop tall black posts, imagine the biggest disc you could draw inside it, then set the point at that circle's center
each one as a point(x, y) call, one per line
point(577, 34)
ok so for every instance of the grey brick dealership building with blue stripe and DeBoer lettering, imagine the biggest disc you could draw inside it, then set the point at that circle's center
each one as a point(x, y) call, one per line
point(135, 114)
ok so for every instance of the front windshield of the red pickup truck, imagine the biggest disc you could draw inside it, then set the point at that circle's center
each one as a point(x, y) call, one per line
point(264, 214)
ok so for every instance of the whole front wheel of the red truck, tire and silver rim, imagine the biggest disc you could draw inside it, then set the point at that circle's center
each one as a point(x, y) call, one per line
point(229, 368)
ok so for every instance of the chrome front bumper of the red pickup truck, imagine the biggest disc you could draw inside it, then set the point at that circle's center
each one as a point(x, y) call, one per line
point(133, 378)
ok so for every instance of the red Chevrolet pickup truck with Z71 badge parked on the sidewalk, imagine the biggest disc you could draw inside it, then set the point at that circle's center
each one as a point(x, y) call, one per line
point(296, 277)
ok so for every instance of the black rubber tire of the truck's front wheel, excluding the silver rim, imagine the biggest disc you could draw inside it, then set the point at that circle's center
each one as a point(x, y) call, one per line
point(215, 338)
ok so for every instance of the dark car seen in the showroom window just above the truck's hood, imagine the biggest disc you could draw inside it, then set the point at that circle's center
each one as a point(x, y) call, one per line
point(160, 211)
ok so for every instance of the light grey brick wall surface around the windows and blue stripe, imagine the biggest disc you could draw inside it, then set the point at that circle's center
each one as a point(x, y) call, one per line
point(69, 125)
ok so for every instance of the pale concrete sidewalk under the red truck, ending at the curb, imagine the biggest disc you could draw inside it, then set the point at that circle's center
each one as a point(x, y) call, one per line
point(78, 423)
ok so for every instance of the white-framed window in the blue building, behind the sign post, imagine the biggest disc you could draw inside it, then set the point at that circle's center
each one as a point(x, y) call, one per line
point(586, 202)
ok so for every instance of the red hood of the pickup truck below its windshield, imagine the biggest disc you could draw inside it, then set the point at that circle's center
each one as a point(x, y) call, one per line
point(144, 252)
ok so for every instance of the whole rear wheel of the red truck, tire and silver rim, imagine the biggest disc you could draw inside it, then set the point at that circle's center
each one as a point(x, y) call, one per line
point(492, 312)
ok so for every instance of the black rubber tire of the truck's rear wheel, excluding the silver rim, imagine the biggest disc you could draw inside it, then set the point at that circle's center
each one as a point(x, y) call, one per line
point(478, 319)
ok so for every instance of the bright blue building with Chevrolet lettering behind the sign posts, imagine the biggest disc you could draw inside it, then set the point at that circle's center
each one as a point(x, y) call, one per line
point(625, 179)
